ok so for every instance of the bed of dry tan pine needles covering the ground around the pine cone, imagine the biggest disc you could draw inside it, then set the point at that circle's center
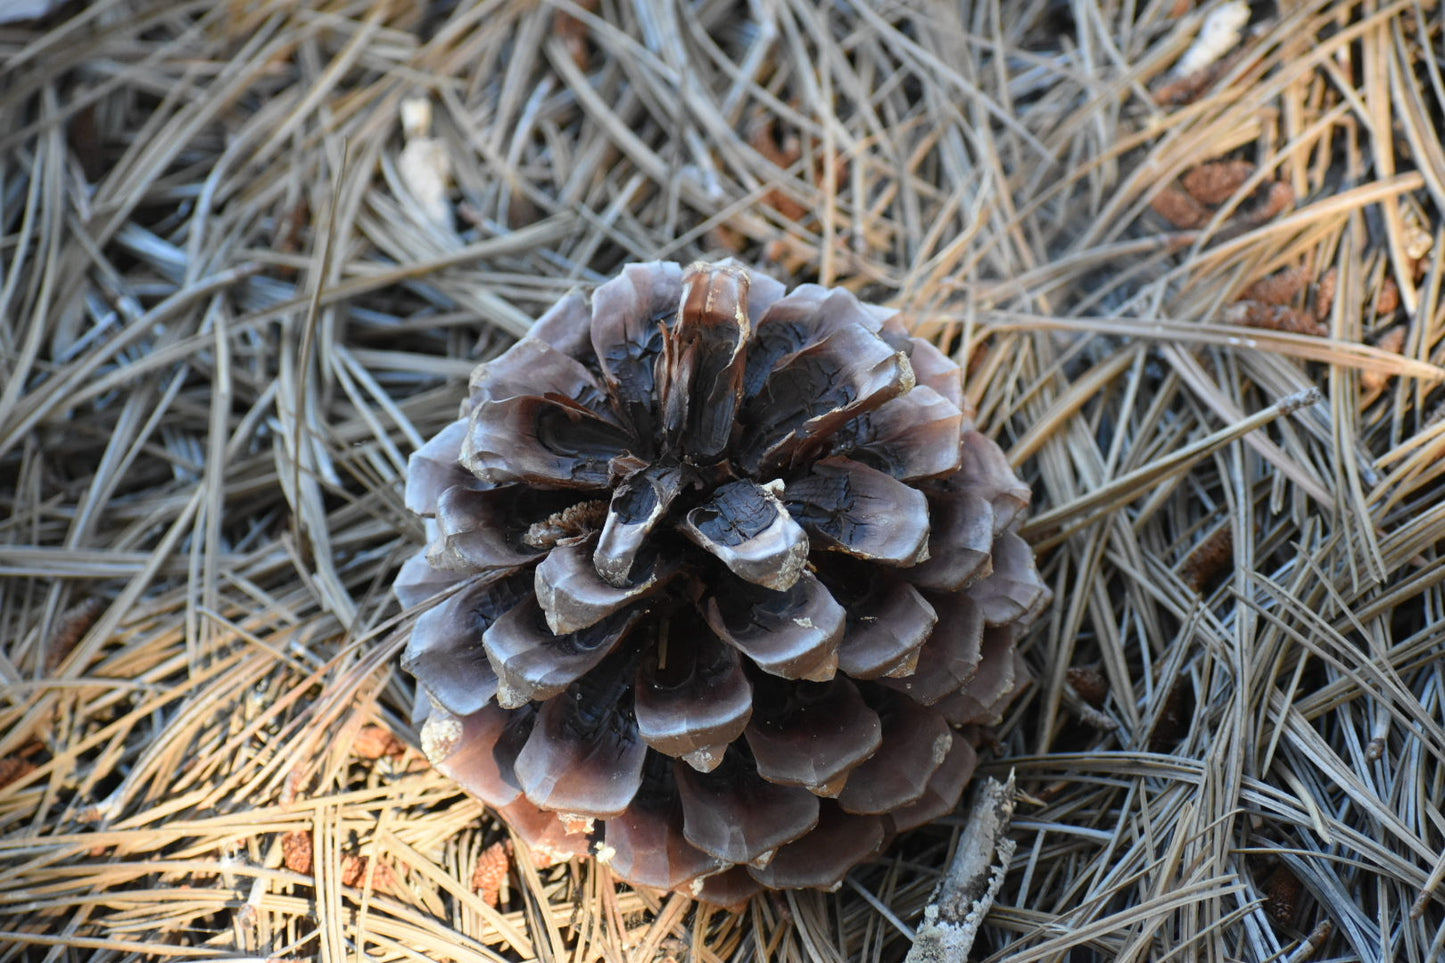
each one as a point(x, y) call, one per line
point(249, 252)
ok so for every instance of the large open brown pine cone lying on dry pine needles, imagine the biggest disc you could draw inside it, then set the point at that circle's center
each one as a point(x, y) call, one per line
point(733, 582)
